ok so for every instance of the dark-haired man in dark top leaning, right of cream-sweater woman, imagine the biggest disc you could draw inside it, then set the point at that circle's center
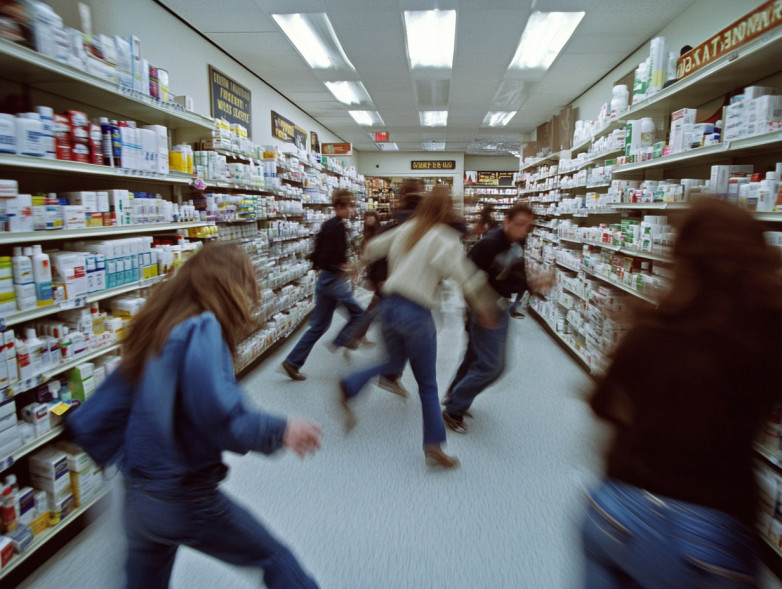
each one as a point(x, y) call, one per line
point(501, 255)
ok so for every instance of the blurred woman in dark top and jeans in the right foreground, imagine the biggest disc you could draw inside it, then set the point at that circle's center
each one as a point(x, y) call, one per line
point(688, 389)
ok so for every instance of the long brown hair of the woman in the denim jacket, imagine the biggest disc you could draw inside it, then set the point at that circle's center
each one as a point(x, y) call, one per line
point(219, 278)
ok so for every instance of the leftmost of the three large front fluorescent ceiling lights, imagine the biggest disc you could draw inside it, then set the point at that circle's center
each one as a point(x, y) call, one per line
point(314, 37)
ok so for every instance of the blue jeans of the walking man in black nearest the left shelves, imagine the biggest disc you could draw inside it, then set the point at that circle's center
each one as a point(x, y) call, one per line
point(330, 290)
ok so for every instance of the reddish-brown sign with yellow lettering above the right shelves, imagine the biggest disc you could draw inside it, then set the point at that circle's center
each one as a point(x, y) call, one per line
point(748, 27)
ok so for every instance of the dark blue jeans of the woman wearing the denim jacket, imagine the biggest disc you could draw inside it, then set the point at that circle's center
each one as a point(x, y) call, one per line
point(208, 522)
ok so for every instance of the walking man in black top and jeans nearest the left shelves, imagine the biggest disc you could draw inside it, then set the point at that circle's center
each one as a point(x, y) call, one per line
point(332, 287)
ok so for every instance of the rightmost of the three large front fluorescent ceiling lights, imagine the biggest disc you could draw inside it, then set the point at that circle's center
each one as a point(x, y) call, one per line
point(543, 38)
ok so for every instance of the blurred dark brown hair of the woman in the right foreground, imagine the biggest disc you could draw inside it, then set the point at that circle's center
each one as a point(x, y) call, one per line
point(724, 271)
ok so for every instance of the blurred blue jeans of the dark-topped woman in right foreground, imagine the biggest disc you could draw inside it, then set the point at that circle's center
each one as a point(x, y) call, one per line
point(633, 539)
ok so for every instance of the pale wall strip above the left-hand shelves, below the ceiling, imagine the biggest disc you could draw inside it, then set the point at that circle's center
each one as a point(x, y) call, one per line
point(169, 43)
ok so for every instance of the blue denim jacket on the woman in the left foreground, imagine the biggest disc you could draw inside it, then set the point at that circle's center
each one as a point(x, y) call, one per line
point(169, 431)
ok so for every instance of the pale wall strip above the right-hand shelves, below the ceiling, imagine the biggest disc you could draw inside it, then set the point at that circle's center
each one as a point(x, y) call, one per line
point(700, 21)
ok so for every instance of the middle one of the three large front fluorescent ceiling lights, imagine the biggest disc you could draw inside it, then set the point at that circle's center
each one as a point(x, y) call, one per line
point(430, 37)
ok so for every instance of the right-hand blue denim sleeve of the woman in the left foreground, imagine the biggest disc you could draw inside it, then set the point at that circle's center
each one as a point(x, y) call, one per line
point(214, 401)
